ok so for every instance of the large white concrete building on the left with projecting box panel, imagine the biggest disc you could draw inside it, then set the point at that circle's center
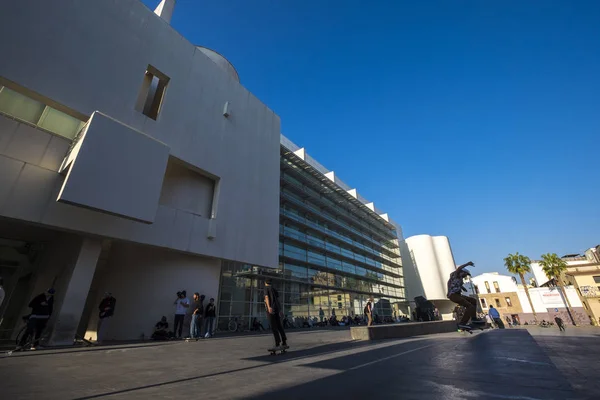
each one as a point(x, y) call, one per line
point(132, 161)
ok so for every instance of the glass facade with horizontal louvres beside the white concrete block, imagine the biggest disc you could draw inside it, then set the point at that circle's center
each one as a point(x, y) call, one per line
point(334, 256)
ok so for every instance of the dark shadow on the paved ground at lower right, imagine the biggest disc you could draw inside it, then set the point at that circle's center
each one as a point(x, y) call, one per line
point(495, 364)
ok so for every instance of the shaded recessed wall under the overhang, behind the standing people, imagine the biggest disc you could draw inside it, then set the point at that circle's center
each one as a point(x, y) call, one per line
point(145, 281)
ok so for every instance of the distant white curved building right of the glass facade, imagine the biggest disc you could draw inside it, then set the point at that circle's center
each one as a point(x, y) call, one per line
point(427, 265)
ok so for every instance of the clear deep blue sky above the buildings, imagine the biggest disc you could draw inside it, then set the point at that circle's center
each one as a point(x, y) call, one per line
point(477, 120)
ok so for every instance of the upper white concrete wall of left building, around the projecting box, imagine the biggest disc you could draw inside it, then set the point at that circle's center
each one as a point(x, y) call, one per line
point(93, 56)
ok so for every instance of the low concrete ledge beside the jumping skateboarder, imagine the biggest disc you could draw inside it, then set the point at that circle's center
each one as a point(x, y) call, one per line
point(401, 330)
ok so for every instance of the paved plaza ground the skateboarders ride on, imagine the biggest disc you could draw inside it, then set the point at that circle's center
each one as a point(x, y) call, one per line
point(500, 364)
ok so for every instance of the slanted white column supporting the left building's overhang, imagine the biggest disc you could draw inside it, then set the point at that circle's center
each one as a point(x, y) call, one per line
point(69, 314)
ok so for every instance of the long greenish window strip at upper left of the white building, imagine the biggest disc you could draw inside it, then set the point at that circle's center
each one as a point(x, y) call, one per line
point(26, 109)
